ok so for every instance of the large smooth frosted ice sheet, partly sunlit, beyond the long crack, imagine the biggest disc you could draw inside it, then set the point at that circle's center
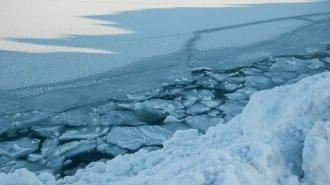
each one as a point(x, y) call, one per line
point(74, 31)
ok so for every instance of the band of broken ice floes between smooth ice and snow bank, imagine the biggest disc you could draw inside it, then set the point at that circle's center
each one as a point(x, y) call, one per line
point(144, 120)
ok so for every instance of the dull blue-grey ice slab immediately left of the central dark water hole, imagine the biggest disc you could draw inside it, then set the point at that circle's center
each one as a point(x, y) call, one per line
point(127, 118)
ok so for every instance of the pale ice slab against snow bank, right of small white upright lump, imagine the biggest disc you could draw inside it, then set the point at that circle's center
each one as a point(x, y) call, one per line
point(203, 122)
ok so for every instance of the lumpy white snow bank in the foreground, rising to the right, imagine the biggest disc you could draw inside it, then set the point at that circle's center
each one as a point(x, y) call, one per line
point(281, 137)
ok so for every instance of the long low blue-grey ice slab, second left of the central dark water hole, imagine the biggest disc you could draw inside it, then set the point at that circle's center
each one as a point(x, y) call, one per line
point(75, 118)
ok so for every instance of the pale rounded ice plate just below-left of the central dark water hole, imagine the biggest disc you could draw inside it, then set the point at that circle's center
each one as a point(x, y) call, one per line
point(126, 137)
